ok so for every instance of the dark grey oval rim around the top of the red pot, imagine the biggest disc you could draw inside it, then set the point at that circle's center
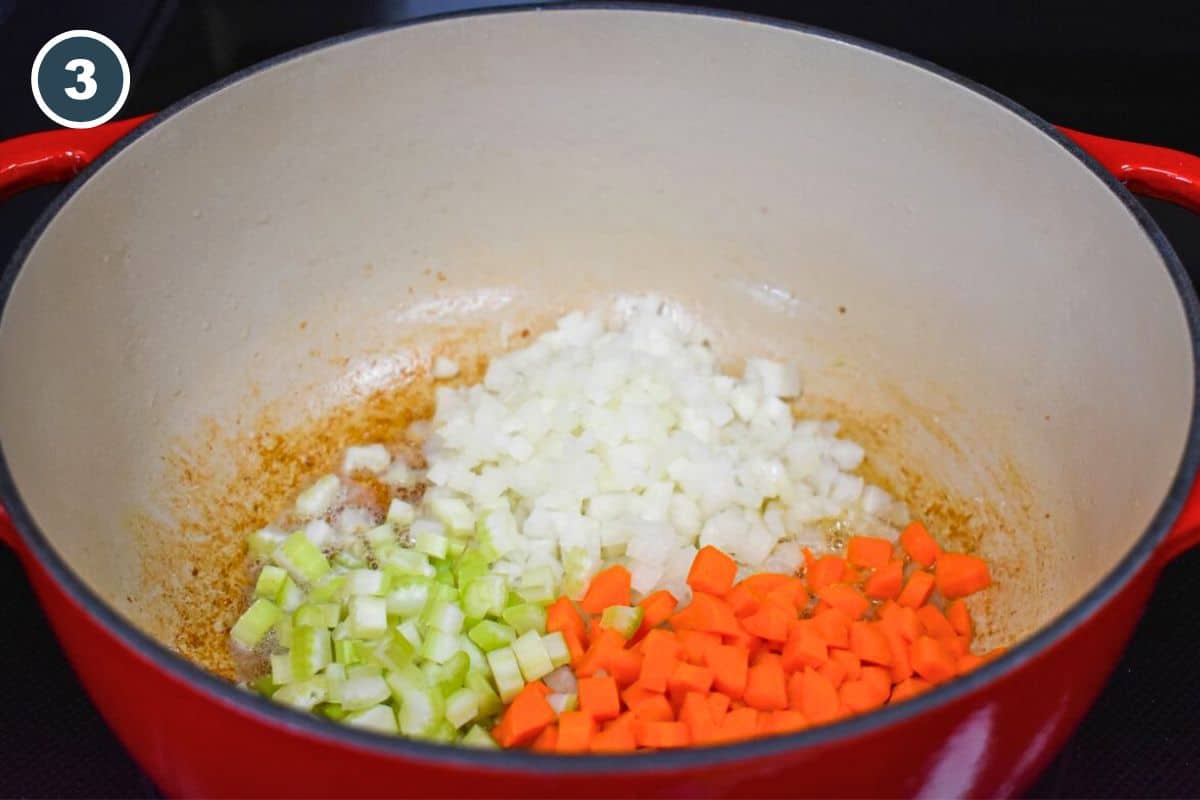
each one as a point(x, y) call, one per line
point(331, 733)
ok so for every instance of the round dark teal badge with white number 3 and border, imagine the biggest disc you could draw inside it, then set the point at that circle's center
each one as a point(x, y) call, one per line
point(81, 80)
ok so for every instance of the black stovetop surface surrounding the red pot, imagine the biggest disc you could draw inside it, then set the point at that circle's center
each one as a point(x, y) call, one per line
point(1103, 68)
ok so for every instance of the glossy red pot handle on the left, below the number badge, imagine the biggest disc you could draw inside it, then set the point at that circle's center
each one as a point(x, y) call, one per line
point(56, 157)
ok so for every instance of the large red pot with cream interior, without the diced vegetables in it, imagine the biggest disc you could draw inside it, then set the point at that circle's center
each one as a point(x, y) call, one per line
point(951, 272)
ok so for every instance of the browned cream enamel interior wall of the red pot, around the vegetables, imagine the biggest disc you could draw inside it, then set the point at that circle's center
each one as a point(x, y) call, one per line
point(929, 258)
